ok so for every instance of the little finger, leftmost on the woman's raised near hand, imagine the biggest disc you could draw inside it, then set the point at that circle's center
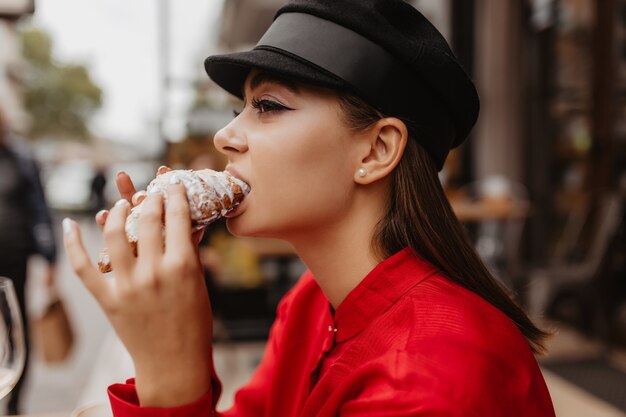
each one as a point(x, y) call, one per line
point(80, 262)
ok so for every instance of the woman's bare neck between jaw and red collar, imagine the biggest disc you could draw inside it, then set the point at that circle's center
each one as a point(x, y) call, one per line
point(340, 255)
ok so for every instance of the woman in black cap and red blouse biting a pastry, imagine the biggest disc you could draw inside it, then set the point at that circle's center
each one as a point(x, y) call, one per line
point(350, 108)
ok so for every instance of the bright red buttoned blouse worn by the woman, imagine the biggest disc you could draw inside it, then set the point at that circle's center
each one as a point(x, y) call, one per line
point(405, 342)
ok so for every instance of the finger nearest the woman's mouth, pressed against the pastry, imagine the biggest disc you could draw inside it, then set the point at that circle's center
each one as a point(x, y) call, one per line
point(177, 220)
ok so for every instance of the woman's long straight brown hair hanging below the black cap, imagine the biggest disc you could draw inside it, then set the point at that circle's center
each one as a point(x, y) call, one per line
point(420, 216)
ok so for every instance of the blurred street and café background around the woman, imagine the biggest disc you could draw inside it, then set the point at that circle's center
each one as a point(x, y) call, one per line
point(107, 85)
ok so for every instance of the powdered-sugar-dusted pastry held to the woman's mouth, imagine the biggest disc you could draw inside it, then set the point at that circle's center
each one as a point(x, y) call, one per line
point(211, 195)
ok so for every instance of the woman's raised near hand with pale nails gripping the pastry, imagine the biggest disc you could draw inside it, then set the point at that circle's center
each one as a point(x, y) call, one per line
point(157, 301)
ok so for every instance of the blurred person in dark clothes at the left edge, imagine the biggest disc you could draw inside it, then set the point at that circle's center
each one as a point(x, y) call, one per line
point(25, 225)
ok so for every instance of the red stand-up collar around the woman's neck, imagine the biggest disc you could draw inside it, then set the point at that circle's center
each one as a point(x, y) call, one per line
point(378, 291)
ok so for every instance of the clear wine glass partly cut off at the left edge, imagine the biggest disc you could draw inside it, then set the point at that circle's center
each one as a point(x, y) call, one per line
point(12, 348)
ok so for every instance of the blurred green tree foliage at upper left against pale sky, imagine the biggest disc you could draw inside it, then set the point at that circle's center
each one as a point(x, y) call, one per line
point(60, 97)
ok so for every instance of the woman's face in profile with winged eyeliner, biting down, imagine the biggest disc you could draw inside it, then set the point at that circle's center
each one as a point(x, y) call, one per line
point(291, 144)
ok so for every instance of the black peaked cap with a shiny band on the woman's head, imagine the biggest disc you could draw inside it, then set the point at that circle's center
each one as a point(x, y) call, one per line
point(384, 51)
